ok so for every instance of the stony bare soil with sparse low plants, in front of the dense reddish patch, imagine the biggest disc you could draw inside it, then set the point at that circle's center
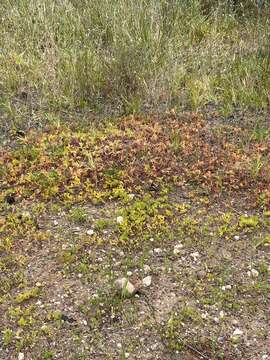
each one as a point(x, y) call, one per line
point(196, 300)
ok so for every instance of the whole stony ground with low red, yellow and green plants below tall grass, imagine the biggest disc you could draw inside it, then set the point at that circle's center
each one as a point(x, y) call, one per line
point(182, 198)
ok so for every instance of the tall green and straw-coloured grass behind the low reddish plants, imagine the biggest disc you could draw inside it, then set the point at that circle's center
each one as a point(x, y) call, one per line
point(119, 56)
